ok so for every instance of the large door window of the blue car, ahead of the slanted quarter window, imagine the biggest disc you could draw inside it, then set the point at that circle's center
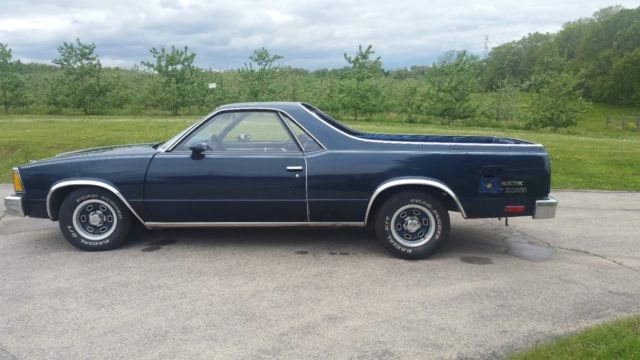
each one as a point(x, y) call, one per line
point(243, 131)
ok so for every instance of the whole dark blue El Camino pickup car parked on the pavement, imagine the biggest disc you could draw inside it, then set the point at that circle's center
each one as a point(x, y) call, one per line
point(286, 164)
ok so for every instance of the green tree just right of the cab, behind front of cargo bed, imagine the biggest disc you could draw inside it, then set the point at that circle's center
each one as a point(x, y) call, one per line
point(360, 87)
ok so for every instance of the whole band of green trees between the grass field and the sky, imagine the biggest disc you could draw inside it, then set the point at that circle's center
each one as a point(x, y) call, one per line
point(596, 59)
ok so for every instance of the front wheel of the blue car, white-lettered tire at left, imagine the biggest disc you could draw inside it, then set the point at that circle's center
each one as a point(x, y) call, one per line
point(93, 219)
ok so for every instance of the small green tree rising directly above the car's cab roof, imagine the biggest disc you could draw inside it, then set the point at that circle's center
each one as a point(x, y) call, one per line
point(258, 75)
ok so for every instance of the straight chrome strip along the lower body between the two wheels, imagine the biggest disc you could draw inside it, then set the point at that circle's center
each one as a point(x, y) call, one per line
point(169, 225)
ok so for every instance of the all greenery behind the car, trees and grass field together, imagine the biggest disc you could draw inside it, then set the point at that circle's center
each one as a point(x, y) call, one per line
point(576, 91)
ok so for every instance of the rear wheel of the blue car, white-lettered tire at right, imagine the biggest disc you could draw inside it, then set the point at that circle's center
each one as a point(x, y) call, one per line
point(412, 225)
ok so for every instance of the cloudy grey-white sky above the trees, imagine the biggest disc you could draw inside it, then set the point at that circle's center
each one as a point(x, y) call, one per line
point(309, 34)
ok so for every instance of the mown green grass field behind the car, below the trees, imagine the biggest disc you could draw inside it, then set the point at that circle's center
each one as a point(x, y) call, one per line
point(586, 157)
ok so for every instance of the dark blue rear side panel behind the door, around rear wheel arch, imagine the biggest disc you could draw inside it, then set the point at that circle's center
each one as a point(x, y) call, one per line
point(341, 182)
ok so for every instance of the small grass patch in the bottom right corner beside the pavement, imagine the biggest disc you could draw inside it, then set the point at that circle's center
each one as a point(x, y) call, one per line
point(614, 340)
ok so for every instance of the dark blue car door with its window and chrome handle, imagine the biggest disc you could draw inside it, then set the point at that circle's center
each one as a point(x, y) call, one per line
point(252, 171)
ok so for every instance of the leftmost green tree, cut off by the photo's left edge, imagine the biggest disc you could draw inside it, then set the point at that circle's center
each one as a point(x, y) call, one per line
point(12, 85)
